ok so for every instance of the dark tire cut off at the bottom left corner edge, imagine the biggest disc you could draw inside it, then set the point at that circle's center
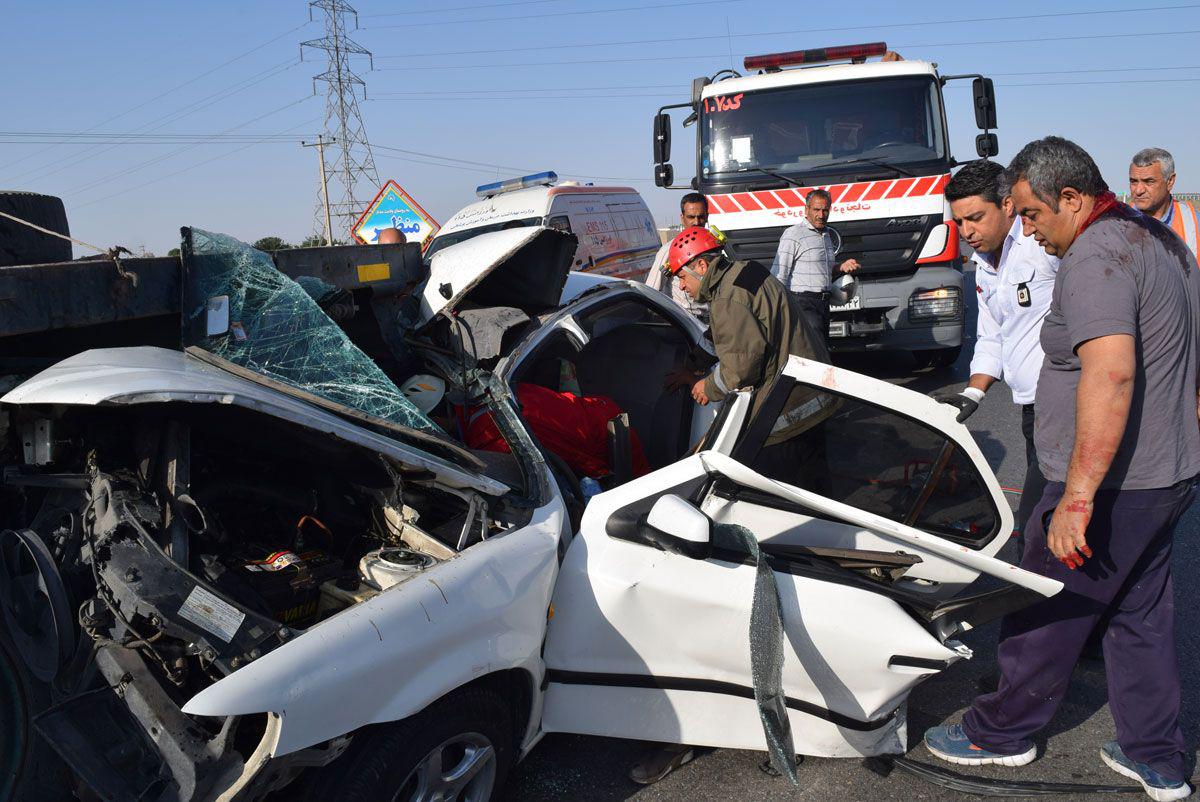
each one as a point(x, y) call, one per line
point(31, 771)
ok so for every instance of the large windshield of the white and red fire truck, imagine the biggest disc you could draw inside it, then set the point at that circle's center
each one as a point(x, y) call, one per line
point(820, 127)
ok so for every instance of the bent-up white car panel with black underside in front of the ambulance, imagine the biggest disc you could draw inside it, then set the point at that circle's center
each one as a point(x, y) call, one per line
point(523, 268)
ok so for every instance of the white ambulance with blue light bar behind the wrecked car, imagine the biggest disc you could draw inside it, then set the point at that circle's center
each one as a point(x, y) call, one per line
point(616, 231)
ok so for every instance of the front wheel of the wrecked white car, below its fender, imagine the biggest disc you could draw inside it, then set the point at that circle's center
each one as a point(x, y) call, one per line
point(469, 729)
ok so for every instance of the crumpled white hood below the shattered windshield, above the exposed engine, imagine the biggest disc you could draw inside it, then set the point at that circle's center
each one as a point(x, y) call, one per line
point(149, 375)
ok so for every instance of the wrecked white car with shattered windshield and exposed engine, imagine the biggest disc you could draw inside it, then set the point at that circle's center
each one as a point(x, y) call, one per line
point(253, 558)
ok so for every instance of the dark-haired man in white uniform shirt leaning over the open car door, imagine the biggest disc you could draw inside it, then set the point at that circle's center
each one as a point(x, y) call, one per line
point(1015, 282)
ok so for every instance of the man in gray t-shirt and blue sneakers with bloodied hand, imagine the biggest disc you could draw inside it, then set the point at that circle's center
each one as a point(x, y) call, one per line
point(1119, 442)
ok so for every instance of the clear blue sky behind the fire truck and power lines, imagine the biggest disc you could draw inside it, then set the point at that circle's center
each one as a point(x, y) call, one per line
point(443, 85)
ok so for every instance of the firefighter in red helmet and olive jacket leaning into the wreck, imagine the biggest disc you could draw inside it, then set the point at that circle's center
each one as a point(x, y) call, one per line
point(754, 322)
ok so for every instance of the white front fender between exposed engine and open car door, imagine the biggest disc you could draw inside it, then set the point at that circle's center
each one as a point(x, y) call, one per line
point(392, 656)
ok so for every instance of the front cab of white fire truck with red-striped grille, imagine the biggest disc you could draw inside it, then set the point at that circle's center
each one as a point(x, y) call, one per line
point(874, 136)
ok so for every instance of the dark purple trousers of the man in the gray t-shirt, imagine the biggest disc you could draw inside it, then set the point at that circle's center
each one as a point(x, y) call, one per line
point(1125, 588)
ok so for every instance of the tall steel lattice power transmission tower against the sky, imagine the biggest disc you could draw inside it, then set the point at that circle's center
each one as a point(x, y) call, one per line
point(353, 179)
